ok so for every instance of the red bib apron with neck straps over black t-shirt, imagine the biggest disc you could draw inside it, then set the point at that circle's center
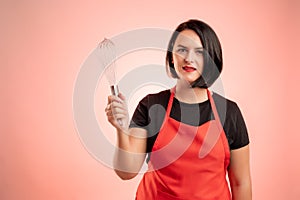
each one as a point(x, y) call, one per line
point(187, 162)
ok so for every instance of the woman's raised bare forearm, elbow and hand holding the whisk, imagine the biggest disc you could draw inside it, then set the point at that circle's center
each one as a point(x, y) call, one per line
point(130, 152)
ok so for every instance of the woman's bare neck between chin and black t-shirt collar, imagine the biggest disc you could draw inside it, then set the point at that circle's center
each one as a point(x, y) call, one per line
point(185, 93)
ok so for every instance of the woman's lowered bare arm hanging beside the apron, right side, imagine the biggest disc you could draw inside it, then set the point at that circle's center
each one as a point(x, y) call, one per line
point(239, 174)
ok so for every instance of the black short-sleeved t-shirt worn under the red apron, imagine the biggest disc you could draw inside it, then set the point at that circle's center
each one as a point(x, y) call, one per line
point(151, 110)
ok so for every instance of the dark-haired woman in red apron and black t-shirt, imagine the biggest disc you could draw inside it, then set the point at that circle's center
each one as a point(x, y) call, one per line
point(190, 148)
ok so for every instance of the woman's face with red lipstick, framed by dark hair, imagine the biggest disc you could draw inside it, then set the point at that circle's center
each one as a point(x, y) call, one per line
point(188, 56)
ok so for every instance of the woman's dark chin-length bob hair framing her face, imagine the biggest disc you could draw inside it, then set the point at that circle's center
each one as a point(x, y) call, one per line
point(213, 62)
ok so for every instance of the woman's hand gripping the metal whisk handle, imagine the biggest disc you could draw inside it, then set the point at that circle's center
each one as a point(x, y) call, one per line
point(117, 112)
